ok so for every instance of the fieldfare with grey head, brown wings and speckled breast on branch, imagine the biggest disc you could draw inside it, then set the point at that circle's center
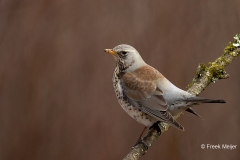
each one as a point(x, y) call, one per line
point(145, 94)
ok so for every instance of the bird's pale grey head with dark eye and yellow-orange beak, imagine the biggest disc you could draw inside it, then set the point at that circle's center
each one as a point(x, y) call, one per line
point(128, 59)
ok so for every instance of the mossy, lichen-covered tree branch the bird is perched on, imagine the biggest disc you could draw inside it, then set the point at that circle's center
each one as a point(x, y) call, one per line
point(205, 74)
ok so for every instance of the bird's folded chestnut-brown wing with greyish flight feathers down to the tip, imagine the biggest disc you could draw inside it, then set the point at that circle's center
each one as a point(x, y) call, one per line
point(141, 89)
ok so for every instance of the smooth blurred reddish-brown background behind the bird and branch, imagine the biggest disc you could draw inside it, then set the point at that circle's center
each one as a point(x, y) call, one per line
point(56, 96)
